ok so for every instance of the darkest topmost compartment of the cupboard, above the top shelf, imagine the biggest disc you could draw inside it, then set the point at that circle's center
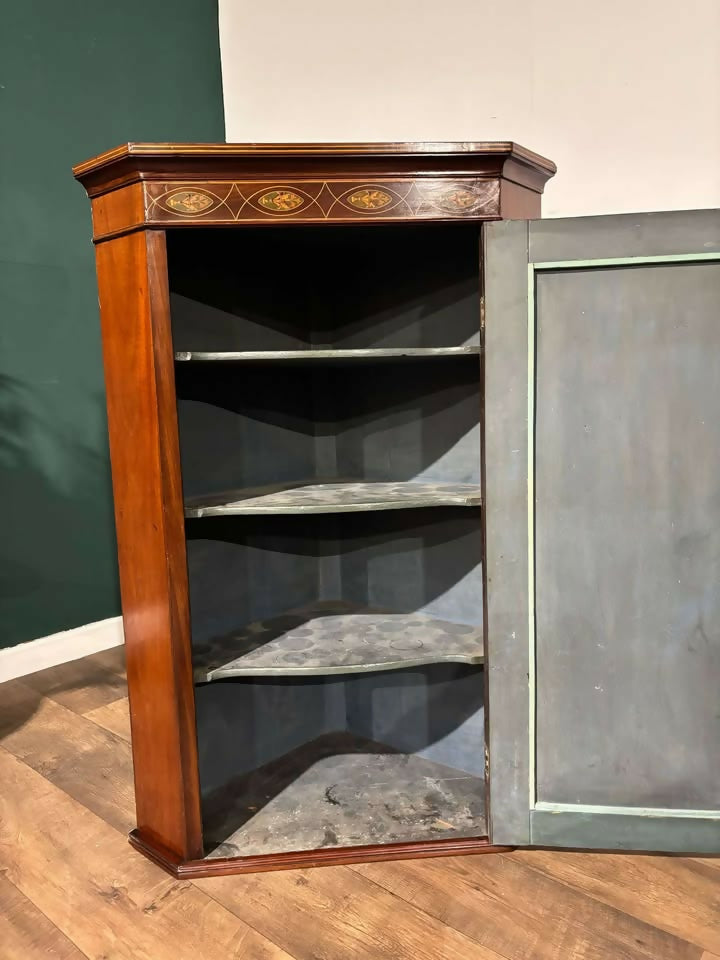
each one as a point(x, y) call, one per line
point(294, 287)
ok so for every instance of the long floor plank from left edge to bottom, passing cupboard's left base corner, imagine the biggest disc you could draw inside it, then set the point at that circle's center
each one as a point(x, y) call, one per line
point(112, 903)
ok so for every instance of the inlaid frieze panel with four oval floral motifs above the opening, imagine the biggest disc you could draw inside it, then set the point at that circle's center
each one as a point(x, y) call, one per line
point(312, 200)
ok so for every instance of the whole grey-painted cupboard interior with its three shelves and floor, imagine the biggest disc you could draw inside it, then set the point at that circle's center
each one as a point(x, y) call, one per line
point(328, 386)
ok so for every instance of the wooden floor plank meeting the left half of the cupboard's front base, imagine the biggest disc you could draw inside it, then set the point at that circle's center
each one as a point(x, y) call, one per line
point(336, 913)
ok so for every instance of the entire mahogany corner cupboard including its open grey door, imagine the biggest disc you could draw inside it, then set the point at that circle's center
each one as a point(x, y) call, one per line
point(417, 514)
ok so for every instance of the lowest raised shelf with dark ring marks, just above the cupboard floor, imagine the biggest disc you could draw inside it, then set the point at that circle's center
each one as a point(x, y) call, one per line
point(337, 637)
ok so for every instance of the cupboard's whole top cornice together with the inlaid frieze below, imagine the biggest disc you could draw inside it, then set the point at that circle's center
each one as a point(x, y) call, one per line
point(187, 184)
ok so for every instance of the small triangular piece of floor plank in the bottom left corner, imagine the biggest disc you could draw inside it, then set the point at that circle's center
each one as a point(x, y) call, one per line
point(27, 934)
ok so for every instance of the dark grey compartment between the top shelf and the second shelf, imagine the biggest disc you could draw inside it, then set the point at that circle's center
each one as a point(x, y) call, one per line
point(246, 427)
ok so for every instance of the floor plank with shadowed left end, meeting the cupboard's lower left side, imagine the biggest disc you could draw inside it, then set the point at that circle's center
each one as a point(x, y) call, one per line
point(91, 764)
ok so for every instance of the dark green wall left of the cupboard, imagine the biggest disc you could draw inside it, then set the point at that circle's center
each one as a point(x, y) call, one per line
point(76, 78)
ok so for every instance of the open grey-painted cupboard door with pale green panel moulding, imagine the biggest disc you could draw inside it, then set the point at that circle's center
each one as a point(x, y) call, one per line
point(602, 466)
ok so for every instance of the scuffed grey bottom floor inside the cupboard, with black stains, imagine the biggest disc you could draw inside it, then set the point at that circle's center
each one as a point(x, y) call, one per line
point(342, 790)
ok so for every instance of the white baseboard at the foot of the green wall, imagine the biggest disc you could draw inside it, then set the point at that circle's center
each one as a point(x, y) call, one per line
point(59, 648)
